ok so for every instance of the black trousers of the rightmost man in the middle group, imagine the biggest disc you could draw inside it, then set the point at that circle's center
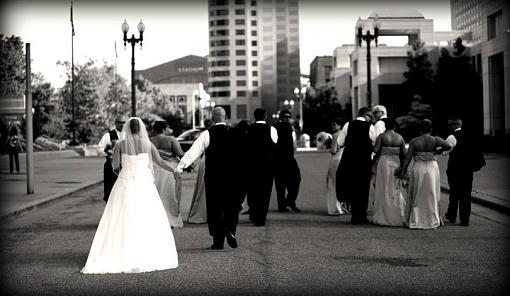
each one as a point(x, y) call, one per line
point(287, 179)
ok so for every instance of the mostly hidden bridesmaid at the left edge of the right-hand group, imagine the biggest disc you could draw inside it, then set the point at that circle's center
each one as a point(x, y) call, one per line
point(335, 208)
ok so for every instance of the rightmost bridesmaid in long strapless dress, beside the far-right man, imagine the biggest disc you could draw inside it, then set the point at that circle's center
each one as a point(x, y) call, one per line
point(424, 189)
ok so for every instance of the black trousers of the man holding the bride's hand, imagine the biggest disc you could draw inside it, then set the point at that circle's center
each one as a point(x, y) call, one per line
point(222, 208)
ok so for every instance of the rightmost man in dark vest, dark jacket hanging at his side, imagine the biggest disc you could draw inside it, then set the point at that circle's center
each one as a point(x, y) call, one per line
point(465, 158)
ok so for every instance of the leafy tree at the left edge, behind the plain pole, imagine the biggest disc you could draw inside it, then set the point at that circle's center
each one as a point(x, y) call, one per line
point(12, 66)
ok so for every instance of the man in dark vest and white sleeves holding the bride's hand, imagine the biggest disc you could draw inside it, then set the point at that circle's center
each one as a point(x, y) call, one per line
point(222, 201)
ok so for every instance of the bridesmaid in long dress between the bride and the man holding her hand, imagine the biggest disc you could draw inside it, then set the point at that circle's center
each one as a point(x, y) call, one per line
point(169, 188)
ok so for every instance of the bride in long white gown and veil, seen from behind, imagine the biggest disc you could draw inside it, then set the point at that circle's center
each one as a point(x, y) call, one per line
point(134, 234)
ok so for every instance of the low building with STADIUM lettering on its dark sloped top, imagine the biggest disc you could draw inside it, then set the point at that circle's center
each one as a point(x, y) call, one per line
point(180, 80)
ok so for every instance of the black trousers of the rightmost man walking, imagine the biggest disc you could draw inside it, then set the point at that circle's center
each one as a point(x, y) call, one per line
point(461, 184)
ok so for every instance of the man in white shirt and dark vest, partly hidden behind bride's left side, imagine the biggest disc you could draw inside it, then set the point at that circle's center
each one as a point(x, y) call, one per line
point(106, 145)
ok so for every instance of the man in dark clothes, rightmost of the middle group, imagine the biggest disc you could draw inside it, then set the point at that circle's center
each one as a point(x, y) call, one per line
point(287, 175)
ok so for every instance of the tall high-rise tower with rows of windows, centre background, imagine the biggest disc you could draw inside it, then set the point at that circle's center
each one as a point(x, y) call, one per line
point(253, 55)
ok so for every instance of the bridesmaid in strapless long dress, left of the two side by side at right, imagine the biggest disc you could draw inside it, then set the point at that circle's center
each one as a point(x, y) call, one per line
point(389, 203)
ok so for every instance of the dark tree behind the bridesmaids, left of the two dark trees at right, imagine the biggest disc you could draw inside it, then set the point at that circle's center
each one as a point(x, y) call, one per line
point(419, 76)
